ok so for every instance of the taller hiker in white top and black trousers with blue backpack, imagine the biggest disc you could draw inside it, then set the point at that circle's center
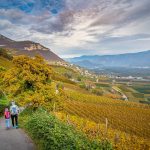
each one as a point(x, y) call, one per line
point(14, 110)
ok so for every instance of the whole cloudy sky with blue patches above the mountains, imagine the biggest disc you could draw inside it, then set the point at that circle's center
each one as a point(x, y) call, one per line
point(79, 27)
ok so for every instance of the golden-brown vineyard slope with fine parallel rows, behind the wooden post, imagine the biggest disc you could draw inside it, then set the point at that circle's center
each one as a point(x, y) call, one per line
point(130, 117)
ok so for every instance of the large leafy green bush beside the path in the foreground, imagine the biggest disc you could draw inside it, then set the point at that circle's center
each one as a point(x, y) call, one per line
point(52, 134)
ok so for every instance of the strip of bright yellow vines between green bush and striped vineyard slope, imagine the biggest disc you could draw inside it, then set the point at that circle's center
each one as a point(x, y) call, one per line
point(119, 139)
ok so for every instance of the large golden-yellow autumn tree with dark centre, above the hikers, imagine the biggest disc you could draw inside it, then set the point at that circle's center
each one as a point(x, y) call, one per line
point(29, 82)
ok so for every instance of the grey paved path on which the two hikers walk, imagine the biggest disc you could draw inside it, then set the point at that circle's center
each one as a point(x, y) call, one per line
point(14, 139)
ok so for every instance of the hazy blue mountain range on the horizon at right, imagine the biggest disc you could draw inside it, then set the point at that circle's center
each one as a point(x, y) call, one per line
point(140, 59)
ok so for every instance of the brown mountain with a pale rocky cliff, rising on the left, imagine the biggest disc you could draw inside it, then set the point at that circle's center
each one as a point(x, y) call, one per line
point(28, 48)
